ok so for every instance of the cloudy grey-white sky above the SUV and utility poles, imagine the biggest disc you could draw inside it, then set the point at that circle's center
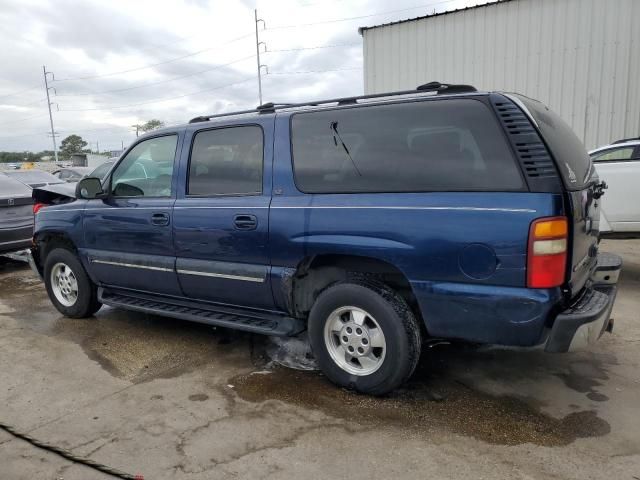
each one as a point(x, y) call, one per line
point(120, 62)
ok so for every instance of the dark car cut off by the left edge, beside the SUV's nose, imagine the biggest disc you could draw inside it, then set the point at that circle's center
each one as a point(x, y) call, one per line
point(16, 215)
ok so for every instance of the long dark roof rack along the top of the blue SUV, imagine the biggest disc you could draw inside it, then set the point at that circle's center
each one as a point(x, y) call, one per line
point(437, 87)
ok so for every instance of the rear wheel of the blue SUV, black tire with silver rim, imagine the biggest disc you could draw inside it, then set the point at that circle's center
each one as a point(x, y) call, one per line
point(375, 309)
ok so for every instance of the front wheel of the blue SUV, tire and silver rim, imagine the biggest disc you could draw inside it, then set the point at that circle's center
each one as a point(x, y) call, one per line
point(69, 287)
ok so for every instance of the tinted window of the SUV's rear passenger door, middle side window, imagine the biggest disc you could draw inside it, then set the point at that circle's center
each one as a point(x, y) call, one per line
point(226, 161)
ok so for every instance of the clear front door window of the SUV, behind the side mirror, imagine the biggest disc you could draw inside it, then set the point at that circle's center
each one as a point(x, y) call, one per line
point(147, 170)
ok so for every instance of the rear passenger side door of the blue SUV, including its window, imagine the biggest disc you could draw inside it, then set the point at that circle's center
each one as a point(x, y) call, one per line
point(221, 215)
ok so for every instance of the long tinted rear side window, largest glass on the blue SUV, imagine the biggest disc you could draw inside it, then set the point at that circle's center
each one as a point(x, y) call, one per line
point(434, 145)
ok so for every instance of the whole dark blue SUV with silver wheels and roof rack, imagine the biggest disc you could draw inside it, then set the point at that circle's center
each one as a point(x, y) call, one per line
point(375, 223)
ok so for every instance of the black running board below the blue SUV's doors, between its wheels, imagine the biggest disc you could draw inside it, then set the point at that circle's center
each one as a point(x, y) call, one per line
point(249, 321)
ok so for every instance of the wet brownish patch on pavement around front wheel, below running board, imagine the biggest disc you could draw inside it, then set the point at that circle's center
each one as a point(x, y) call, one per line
point(129, 345)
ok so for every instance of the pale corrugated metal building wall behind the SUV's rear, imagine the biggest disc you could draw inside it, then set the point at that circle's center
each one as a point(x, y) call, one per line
point(580, 57)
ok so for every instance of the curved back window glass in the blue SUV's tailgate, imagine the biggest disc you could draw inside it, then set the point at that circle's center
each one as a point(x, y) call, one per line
point(568, 150)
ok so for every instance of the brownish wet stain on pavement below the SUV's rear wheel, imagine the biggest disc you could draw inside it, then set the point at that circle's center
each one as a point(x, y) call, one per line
point(447, 405)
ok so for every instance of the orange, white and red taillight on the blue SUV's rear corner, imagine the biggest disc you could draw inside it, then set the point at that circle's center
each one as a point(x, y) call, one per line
point(547, 252)
